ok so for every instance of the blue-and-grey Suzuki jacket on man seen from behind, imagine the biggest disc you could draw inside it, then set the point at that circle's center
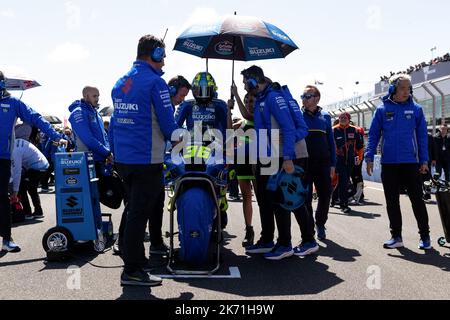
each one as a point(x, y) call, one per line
point(143, 116)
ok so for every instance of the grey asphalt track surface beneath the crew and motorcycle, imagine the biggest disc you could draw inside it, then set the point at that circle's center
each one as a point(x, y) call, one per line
point(351, 264)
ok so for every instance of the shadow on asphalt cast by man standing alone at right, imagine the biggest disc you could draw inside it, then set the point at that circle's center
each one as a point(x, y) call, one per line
point(431, 257)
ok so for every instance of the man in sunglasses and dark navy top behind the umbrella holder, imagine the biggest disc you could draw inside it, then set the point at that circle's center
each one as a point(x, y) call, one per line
point(322, 156)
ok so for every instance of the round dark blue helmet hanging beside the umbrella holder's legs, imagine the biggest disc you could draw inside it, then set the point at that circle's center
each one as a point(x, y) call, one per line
point(290, 189)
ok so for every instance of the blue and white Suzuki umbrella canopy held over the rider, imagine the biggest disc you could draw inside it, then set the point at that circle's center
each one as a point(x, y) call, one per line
point(236, 38)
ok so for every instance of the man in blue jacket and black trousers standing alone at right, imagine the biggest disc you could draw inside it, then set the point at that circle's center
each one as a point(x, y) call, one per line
point(402, 124)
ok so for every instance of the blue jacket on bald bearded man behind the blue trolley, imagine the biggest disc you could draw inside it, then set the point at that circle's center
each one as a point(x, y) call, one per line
point(88, 129)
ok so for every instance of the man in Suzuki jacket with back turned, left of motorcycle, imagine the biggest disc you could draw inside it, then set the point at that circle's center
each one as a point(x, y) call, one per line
point(143, 122)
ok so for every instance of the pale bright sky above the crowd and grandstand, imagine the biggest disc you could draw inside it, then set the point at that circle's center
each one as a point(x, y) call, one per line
point(66, 45)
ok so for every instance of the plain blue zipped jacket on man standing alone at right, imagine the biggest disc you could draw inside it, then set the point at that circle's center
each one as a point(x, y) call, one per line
point(404, 131)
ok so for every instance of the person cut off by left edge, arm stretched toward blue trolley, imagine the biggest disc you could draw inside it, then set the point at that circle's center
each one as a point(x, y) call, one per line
point(12, 108)
